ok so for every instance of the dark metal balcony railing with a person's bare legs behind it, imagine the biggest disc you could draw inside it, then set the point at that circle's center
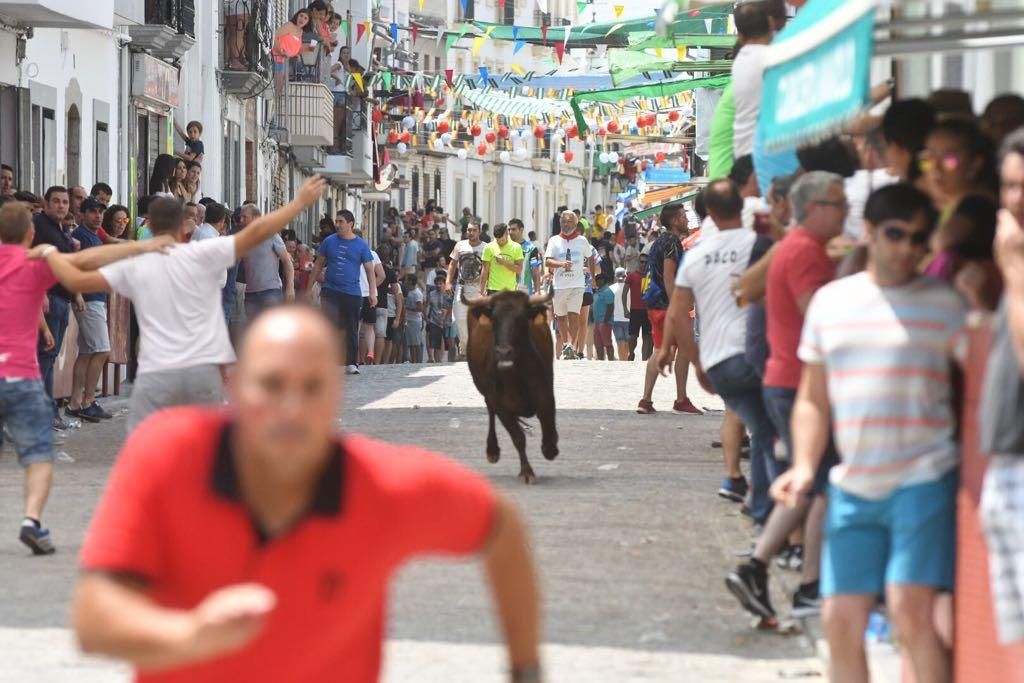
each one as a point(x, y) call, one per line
point(247, 37)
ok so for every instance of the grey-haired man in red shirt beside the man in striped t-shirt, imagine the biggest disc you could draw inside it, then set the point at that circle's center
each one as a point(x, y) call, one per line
point(800, 266)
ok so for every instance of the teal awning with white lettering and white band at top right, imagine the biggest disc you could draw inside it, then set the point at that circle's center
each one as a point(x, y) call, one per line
point(818, 73)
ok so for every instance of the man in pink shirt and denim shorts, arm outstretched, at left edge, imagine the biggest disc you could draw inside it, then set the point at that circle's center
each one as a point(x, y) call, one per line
point(26, 410)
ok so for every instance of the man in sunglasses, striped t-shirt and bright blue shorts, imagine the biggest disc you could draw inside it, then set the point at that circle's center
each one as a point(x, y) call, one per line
point(878, 350)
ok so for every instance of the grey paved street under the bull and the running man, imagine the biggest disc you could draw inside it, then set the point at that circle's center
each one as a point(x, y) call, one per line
point(631, 540)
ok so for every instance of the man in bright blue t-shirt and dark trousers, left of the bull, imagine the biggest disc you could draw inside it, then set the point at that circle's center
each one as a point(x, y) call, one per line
point(342, 297)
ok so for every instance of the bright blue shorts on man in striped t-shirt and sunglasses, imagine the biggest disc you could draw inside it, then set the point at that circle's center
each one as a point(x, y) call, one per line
point(910, 537)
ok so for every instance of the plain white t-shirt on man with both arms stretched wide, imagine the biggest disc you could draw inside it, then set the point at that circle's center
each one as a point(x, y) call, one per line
point(179, 305)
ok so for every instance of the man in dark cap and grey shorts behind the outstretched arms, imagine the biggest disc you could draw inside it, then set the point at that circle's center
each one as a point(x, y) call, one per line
point(94, 335)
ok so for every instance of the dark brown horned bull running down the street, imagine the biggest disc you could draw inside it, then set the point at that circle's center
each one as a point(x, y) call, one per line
point(510, 356)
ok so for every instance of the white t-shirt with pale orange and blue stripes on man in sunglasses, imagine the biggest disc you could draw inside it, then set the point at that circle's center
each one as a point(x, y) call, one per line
point(888, 355)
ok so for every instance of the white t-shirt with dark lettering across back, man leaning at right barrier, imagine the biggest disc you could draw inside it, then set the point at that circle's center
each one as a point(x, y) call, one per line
point(710, 270)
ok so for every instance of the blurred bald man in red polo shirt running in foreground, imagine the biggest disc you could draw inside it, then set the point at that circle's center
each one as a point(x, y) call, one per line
point(260, 545)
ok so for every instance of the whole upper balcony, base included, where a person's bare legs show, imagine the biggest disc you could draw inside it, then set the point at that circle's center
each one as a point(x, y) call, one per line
point(246, 41)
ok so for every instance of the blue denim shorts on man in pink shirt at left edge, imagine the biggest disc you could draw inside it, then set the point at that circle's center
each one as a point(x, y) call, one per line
point(27, 412)
